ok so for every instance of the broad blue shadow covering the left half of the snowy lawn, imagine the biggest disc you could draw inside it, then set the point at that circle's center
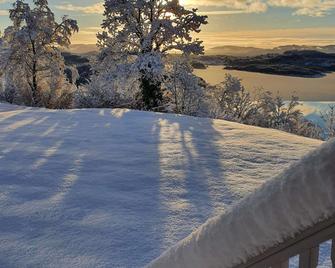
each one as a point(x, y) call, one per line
point(83, 185)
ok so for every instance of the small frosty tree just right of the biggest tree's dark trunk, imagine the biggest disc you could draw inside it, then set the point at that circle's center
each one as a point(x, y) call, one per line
point(185, 92)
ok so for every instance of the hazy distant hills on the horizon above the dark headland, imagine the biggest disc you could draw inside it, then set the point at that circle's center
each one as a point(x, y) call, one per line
point(239, 51)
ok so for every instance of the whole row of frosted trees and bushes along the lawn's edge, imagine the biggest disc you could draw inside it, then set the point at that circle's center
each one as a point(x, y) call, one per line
point(133, 69)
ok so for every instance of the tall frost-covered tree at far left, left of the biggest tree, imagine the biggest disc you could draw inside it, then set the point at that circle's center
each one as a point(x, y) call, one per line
point(34, 40)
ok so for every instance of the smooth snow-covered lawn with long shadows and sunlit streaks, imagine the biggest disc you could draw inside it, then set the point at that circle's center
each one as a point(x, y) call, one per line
point(116, 188)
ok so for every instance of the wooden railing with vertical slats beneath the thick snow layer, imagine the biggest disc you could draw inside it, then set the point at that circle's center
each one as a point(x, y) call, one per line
point(305, 245)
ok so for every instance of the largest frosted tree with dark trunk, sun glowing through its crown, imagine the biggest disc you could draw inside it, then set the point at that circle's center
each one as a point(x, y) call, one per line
point(142, 32)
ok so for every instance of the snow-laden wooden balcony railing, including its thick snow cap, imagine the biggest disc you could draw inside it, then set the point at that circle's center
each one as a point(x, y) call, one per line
point(291, 215)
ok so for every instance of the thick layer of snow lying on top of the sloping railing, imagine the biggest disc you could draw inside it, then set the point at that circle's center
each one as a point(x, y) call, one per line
point(301, 196)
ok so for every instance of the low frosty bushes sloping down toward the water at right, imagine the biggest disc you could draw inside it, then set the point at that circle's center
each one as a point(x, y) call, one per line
point(230, 100)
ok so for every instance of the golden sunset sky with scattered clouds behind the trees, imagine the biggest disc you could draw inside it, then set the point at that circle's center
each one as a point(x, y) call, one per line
point(259, 23)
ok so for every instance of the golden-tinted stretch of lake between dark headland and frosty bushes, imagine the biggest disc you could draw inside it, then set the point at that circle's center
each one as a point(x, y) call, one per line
point(307, 89)
